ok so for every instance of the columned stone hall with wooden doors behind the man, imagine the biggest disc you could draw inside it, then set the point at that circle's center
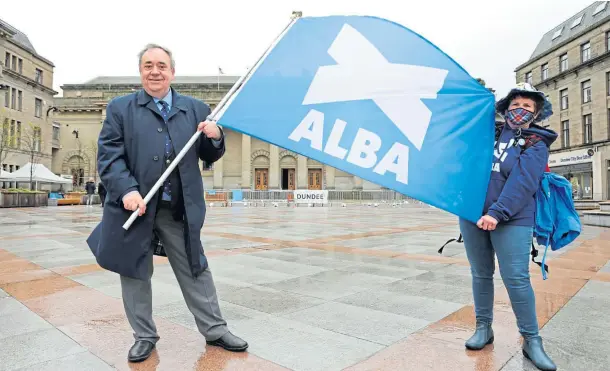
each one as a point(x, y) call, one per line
point(248, 163)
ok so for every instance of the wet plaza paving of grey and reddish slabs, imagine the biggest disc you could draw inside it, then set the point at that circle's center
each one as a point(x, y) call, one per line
point(356, 288)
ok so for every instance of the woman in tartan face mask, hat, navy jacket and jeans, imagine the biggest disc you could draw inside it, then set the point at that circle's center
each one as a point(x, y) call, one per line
point(506, 226)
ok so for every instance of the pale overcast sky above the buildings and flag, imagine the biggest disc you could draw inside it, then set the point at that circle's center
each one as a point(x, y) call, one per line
point(488, 38)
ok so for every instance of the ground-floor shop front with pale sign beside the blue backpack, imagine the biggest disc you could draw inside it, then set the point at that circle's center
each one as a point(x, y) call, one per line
point(577, 167)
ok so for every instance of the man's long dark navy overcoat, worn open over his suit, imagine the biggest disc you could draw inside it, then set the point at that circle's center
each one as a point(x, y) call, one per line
point(130, 156)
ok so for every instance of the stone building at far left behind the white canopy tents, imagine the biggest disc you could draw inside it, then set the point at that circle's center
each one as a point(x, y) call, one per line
point(26, 102)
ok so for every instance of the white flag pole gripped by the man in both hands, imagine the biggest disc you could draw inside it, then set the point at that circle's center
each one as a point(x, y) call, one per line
point(242, 80)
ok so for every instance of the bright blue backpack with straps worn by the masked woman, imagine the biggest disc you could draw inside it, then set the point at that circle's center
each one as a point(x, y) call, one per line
point(557, 222)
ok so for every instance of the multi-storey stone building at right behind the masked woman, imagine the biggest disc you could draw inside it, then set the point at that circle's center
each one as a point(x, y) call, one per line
point(571, 64)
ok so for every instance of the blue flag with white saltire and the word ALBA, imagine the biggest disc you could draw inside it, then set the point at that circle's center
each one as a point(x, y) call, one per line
point(370, 97)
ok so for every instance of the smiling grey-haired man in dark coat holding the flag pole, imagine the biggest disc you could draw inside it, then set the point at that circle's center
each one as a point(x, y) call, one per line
point(141, 135)
